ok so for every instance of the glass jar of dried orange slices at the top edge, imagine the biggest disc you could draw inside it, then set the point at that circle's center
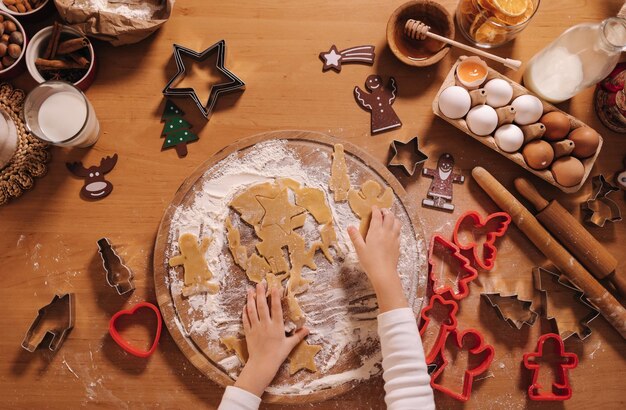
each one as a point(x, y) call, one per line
point(491, 23)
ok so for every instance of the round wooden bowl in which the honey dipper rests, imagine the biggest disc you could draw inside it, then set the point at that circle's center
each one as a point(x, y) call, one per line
point(414, 52)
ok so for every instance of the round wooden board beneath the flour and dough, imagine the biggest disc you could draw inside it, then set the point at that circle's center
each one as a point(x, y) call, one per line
point(208, 355)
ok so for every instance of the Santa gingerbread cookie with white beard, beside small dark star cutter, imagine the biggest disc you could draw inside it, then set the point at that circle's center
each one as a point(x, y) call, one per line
point(440, 191)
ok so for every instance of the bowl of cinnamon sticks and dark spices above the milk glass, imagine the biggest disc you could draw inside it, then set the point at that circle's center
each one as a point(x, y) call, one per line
point(61, 53)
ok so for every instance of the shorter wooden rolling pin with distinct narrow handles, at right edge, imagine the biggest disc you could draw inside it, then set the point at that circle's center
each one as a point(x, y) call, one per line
point(573, 236)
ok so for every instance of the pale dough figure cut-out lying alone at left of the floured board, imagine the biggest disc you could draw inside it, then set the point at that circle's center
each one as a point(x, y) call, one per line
point(197, 275)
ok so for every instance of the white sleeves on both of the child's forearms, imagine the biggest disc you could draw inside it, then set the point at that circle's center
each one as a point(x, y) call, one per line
point(407, 383)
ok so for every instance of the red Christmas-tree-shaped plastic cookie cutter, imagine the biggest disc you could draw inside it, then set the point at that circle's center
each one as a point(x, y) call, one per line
point(465, 266)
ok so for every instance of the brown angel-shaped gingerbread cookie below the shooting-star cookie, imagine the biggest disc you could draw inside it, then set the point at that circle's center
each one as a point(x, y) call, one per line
point(378, 102)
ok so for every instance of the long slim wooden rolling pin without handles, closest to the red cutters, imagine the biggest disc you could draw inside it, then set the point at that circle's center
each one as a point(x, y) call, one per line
point(606, 303)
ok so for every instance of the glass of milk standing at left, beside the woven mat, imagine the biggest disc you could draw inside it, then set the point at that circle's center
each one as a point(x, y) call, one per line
point(60, 114)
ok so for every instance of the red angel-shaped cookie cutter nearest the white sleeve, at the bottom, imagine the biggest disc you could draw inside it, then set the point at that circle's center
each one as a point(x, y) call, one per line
point(477, 348)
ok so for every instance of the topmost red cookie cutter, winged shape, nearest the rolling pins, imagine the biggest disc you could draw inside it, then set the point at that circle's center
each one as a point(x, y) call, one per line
point(495, 226)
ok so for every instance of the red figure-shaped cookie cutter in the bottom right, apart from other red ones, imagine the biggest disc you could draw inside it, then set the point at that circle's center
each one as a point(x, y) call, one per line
point(561, 388)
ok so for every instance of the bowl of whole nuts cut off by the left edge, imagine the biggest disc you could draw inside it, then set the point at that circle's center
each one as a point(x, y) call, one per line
point(12, 46)
